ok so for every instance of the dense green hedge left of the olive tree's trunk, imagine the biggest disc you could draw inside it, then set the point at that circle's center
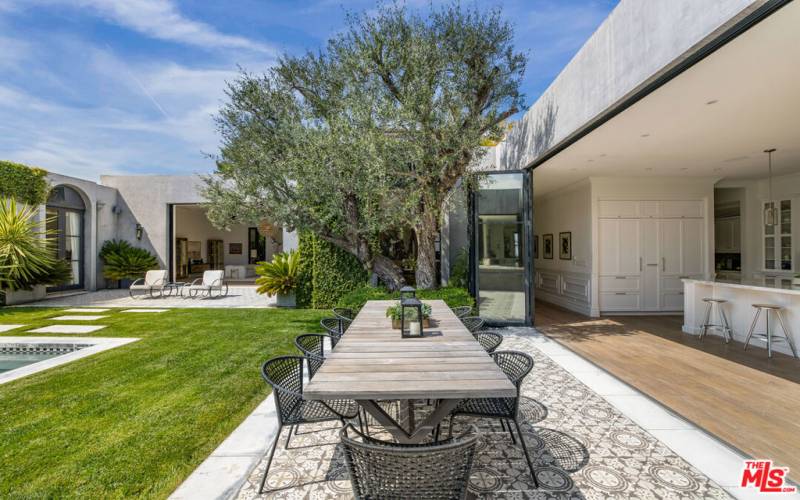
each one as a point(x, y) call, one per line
point(326, 273)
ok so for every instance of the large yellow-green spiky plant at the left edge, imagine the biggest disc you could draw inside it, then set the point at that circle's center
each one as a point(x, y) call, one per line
point(26, 255)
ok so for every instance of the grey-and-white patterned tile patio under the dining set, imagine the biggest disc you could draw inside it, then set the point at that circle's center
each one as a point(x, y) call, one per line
point(583, 448)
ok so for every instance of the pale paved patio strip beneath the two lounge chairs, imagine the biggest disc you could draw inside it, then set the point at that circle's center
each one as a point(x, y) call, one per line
point(238, 296)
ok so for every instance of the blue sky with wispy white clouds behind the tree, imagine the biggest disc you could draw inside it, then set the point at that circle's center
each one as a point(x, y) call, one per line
point(93, 87)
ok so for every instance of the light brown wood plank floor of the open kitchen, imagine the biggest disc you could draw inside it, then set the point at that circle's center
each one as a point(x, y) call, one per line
point(743, 398)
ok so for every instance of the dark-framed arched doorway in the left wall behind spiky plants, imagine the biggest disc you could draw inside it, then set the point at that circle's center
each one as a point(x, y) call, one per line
point(65, 222)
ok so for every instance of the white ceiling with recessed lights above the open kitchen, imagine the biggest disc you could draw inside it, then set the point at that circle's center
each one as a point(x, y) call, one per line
point(713, 120)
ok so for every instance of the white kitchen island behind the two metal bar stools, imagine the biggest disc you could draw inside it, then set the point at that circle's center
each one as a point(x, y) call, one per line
point(739, 308)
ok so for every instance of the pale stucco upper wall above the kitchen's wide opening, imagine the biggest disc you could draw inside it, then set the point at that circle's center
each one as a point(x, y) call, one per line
point(639, 41)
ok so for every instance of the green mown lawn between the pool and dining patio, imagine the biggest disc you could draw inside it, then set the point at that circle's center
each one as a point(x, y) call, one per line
point(136, 420)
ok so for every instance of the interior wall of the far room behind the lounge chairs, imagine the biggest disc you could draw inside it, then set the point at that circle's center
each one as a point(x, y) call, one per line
point(193, 225)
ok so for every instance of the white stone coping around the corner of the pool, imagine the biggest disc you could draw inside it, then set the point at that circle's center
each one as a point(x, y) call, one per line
point(96, 344)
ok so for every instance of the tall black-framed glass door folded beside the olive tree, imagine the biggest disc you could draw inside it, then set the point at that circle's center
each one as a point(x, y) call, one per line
point(501, 256)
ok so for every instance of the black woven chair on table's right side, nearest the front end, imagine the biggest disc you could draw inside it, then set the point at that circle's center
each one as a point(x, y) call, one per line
point(516, 365)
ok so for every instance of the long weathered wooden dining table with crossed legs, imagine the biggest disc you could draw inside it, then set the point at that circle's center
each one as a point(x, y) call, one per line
point(373, 363)
